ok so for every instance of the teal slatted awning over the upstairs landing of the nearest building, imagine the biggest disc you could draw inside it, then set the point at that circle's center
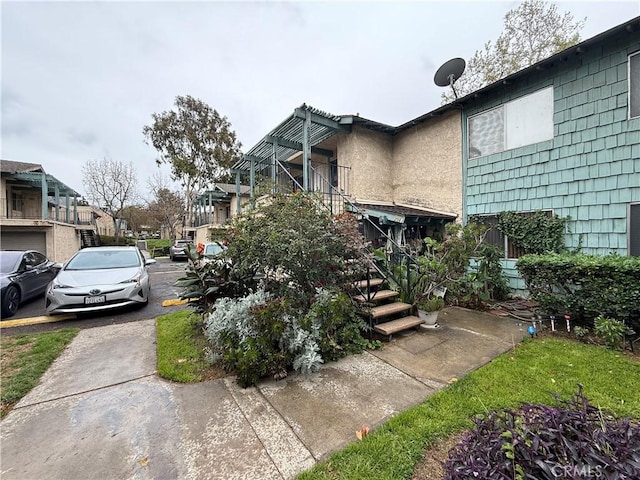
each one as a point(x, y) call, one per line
point(287, 138)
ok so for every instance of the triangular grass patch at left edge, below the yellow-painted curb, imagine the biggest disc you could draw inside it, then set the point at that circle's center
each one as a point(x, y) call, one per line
point(24, 358)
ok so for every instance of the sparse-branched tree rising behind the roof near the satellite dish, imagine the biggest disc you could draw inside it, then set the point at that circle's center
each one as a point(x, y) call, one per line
point(532, 32)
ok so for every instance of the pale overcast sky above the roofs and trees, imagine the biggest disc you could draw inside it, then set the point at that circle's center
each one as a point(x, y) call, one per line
point(81, 79)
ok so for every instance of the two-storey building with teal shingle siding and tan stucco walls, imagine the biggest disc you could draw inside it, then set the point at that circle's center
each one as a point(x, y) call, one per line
point(561, 136)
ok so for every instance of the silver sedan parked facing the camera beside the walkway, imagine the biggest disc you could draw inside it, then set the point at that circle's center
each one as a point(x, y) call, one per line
point(100, 278)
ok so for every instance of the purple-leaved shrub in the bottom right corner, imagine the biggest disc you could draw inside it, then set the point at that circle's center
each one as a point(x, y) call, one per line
point(572, 439)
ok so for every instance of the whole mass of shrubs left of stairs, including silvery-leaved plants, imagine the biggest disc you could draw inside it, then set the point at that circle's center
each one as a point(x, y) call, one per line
point(277, 298)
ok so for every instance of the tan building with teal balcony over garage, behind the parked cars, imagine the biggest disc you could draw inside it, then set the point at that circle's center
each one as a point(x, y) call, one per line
point(40, 212)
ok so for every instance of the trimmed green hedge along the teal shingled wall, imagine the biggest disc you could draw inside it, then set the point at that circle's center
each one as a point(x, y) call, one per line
point(584, 286)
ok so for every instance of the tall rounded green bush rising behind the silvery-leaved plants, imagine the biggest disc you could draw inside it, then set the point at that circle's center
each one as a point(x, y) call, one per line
point(294, 245)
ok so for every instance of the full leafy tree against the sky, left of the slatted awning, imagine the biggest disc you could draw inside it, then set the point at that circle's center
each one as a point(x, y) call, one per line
point(196, 141)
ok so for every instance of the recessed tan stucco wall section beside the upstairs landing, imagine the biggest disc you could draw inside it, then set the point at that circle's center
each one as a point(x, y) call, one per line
point(369, 155)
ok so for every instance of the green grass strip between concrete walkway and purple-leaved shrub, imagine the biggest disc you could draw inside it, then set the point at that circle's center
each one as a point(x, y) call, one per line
point(529, 373)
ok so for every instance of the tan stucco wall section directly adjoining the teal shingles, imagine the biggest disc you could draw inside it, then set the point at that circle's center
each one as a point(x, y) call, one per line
point(427, 167)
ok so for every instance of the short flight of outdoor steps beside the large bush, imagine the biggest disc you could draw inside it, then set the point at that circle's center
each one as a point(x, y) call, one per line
point(387, 316)
